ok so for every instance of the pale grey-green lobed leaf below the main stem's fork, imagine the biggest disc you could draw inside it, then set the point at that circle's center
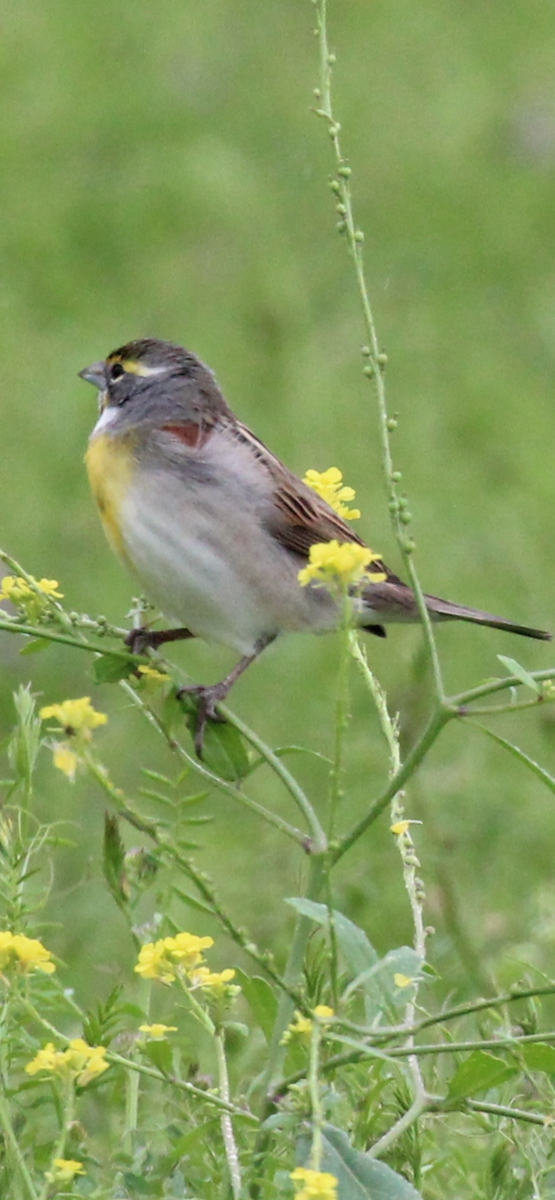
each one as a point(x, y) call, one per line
point(372, 975)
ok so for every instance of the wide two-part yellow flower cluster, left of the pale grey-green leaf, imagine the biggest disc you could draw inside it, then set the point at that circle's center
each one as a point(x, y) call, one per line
point(181, 957)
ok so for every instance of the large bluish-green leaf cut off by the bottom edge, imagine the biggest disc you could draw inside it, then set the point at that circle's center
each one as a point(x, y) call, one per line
point(360, 1177)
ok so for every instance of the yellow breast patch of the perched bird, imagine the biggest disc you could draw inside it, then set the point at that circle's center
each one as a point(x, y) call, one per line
point(111, 465)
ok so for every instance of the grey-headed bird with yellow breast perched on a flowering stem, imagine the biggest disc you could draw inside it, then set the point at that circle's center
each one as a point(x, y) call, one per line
point(214, 527)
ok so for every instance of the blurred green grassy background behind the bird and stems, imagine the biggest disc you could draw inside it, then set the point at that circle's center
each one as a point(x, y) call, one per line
point(163, 175)
